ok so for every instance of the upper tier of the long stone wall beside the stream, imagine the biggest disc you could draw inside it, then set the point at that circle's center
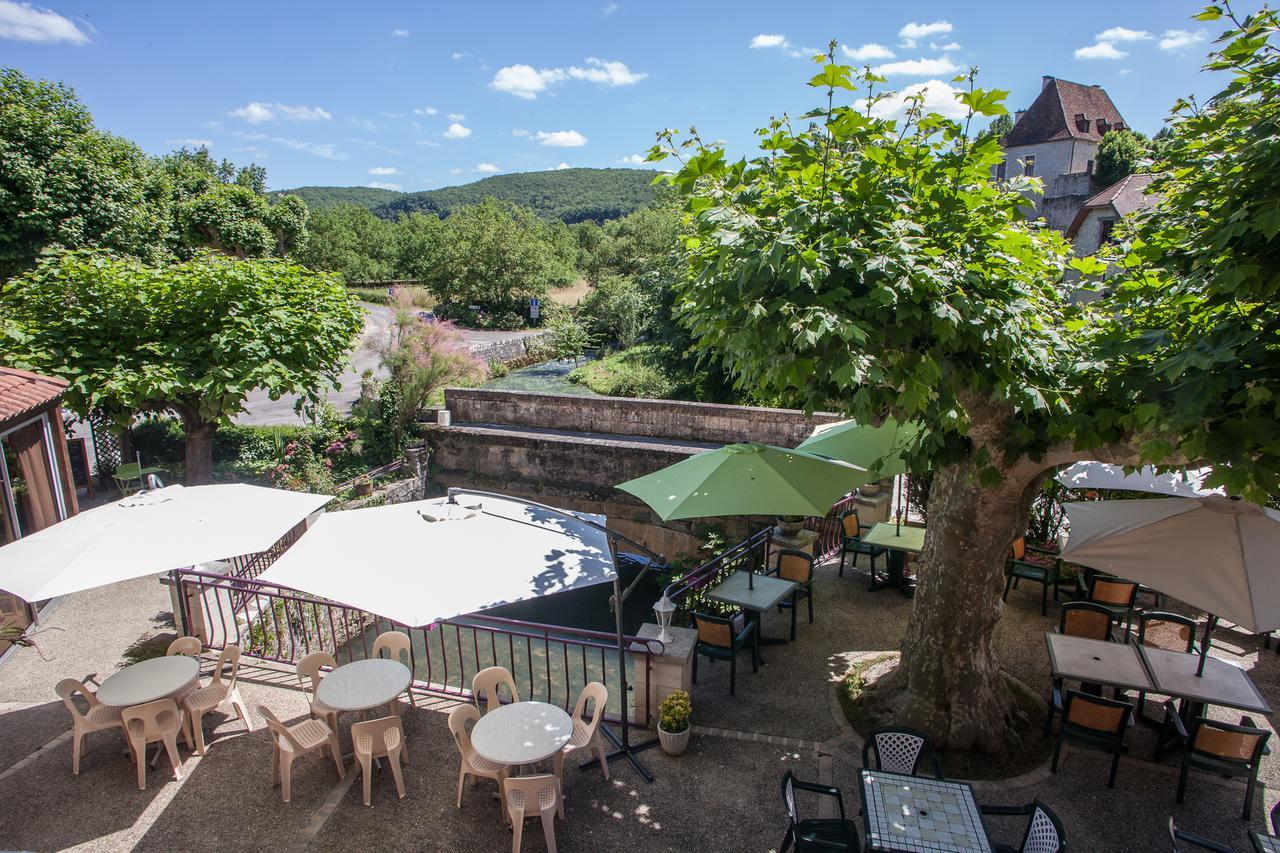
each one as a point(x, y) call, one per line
point(691, 422)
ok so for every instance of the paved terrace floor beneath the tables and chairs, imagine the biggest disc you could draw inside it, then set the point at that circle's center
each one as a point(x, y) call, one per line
point(720, 796)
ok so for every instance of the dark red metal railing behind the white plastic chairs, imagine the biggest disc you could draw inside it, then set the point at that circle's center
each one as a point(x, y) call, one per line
point(550, 663)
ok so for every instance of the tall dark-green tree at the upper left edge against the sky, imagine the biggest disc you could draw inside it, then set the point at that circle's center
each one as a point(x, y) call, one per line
point(65, 184)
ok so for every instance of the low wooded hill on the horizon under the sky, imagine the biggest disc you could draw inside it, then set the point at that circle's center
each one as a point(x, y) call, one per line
point(569, 195)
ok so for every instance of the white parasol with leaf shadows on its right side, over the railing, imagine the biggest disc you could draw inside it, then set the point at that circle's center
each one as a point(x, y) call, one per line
point(427, 562)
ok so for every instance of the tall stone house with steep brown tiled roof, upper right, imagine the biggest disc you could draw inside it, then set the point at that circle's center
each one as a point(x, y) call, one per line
point(1057, 140)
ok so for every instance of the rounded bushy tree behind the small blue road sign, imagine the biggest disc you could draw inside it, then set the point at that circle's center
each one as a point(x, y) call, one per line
point(496, 256)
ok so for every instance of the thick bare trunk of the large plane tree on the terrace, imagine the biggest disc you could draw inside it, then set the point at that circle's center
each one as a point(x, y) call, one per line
point(949, 682)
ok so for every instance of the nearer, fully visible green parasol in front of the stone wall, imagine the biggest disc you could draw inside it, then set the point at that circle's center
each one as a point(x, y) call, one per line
point(747, 480)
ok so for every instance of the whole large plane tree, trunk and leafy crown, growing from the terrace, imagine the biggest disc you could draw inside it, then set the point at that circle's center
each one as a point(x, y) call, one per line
point(870, 266)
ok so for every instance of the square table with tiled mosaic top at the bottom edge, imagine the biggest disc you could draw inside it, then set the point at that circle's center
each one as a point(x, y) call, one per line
point(921, 815)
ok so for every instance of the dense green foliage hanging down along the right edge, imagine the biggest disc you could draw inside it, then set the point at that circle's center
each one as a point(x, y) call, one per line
point(1196, 334)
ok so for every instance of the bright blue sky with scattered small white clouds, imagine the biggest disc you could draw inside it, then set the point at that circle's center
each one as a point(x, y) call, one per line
point(424, 95)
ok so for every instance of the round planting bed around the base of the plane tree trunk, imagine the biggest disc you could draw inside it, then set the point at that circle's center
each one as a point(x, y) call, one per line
point(1028, 710)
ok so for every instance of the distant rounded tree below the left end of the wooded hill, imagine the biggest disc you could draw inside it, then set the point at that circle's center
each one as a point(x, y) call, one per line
point(353, 243)
